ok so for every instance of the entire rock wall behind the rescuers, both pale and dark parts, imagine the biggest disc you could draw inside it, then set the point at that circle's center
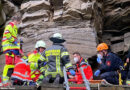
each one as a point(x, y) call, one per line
point(83, 23)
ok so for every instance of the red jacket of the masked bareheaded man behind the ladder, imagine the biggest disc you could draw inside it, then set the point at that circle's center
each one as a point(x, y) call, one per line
point(86, 69)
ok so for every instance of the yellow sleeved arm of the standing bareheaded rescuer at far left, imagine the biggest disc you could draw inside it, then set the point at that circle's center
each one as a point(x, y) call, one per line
point(7, 33)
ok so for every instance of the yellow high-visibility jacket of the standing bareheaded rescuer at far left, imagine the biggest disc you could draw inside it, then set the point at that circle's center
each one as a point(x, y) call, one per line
point(9, 36)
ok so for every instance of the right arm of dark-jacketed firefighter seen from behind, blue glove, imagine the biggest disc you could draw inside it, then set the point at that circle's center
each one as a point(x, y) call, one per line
point(66, 61)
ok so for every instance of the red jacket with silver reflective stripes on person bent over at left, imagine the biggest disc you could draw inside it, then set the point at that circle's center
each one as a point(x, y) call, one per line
point(22, 71)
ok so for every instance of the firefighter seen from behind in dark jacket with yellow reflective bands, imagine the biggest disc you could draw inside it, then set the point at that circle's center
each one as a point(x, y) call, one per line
point(57, 56)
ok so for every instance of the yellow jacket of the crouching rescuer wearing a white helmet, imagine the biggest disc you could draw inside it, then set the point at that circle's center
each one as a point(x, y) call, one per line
point(33, 60)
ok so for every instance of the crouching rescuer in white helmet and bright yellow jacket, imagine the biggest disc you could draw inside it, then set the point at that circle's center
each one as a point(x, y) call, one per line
point(36, 74)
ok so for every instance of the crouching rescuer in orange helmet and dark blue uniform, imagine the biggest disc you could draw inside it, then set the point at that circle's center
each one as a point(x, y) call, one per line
point(110, 65)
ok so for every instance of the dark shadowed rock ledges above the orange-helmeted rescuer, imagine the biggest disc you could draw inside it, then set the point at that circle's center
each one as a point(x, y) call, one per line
point(117, 24)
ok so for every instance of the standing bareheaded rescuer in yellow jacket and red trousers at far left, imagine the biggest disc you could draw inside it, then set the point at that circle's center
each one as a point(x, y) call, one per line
point(10, 46)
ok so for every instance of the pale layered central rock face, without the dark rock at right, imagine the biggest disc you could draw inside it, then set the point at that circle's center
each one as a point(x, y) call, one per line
point(74, 19)
